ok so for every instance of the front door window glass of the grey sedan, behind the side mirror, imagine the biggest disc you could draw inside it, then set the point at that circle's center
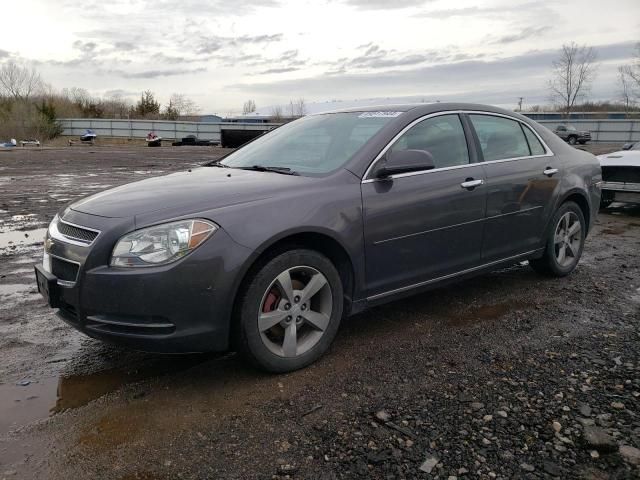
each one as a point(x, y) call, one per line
point(442, 136)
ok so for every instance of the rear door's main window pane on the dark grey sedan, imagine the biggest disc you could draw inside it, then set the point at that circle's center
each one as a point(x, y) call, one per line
point(500, 138)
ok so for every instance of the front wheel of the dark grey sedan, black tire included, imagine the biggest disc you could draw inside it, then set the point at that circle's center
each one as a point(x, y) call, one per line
point(273, 312)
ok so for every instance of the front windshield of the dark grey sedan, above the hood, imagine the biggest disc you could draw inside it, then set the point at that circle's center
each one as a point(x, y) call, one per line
point(312, 145)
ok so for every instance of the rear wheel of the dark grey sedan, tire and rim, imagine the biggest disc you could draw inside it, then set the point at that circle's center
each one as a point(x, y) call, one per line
point(553, 263)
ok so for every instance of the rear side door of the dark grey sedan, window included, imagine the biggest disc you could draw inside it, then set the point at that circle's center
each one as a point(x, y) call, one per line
point(522, 184)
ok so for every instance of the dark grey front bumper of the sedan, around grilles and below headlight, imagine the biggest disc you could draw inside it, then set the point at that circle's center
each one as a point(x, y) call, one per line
point(185, 306)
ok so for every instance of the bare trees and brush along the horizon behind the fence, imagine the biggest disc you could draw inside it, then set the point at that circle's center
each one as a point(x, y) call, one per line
point(29, 107)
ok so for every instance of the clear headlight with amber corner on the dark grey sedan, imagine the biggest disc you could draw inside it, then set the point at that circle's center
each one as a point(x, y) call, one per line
point(160, 244)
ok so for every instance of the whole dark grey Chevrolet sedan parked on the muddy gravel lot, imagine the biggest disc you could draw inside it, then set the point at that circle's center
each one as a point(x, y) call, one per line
point(268, 249)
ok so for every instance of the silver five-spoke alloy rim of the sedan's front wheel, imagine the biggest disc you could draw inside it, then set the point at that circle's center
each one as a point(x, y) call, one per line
point(295, 311)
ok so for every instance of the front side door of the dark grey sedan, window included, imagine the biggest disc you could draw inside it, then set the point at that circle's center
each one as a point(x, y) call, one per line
point(424, 225)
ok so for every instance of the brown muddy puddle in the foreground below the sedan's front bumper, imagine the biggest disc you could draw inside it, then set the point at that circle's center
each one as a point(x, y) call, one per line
point(25, 402)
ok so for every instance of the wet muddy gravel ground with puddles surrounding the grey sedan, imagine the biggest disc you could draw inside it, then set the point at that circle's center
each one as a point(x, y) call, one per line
point(509, 375)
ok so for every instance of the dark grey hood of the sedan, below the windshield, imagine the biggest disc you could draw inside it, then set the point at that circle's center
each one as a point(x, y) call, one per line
point(198, 189)
